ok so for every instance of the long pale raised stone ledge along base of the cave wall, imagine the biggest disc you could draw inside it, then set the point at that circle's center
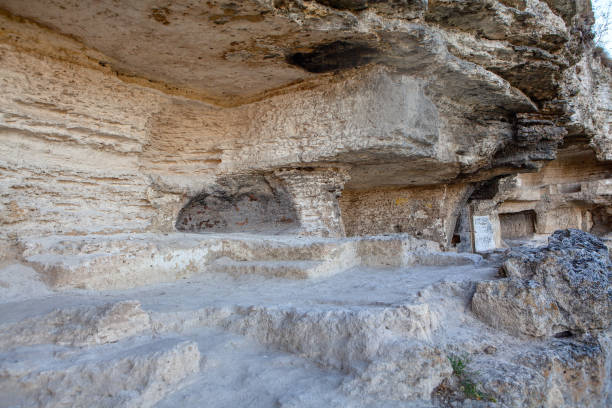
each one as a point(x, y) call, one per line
point(122, 261)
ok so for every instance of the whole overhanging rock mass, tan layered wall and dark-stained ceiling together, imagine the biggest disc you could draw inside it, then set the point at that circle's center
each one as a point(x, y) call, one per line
point(399, 94)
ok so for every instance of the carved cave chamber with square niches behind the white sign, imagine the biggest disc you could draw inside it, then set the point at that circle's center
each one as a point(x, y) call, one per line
point(572, 191)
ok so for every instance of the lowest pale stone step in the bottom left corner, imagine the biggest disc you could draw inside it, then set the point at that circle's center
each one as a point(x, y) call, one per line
point(122, 374)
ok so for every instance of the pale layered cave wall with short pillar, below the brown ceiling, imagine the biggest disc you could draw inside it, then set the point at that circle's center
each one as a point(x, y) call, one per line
point(84, 151)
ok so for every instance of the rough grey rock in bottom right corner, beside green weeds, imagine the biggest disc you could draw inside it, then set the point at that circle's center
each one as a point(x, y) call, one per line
point(556, 373)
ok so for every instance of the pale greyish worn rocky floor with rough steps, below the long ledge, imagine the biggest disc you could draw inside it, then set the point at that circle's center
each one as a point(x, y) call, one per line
point(364, 336)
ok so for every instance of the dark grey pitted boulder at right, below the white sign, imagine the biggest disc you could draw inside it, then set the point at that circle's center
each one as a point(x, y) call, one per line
point(564, 287)
